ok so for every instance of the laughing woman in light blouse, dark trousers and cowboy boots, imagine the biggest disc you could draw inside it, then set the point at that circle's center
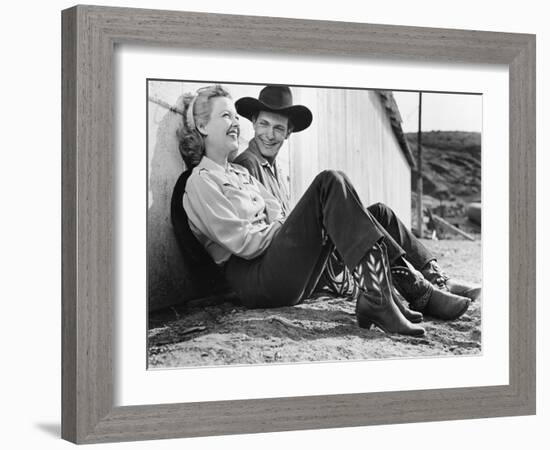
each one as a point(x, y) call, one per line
point(270, 261)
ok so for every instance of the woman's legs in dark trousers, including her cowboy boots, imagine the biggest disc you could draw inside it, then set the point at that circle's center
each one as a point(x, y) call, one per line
point(330, 213)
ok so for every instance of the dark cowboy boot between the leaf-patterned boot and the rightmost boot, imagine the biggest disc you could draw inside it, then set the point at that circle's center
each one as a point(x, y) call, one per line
point(423, 296)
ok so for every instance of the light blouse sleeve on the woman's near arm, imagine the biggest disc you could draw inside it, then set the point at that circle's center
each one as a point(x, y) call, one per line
point(215, 216)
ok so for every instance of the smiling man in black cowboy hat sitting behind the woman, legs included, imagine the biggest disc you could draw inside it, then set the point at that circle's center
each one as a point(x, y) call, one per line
point(274, 118)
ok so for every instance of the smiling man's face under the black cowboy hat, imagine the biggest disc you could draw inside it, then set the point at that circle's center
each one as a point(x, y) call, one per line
point(270, 131)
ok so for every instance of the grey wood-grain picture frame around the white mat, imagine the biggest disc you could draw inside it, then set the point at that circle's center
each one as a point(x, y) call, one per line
point(89, 36)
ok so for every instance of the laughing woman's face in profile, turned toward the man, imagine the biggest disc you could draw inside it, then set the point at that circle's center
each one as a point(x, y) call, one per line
point(222, 130)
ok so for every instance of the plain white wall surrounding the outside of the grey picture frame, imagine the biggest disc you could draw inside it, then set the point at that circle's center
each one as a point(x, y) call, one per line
point(30, 281)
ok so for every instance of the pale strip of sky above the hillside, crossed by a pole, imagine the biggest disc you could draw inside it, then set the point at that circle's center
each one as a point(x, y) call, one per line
point(444, 112)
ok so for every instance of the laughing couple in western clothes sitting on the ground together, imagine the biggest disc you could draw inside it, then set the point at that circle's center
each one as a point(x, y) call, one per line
point(272, 255)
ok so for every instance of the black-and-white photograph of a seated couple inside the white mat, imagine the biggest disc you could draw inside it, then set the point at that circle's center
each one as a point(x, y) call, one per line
point(293, 224)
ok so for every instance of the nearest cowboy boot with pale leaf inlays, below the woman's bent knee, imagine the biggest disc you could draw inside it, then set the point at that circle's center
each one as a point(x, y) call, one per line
point(375, 304)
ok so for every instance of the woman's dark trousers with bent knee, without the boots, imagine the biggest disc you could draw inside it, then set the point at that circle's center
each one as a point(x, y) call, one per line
point(329, 216)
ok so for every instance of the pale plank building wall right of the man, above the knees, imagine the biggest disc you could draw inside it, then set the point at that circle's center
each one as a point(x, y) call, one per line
point(351, 132)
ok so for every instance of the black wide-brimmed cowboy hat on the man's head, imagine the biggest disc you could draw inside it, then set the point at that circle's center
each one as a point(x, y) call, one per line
point(277, 99)
